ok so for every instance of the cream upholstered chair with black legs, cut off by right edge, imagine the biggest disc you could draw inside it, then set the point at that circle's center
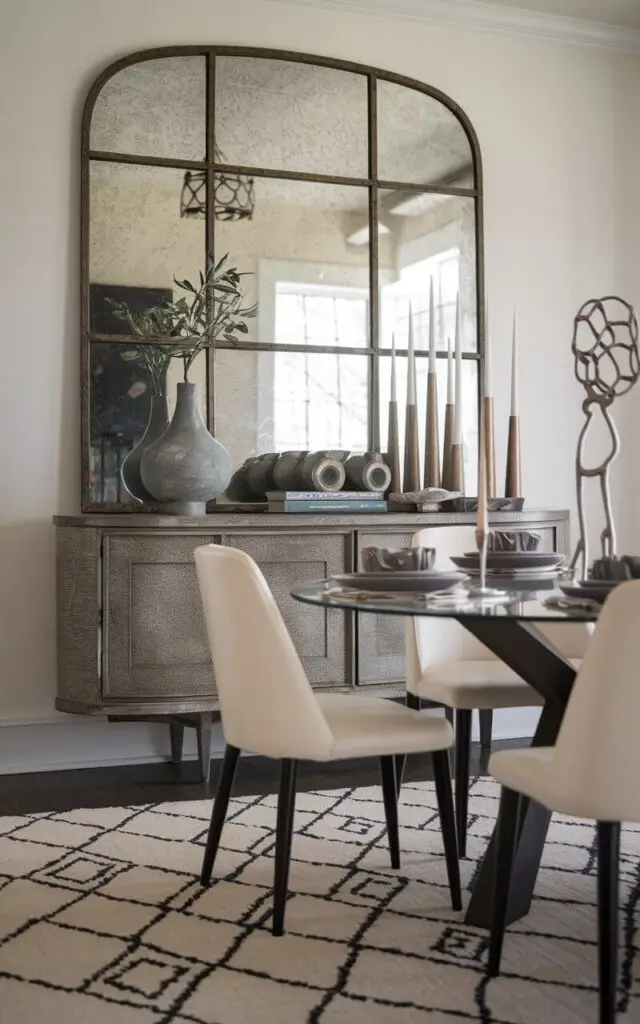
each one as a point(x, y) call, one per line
point(592, 773)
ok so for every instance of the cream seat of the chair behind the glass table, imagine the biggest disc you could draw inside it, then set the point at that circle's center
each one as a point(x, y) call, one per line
point(483, 685)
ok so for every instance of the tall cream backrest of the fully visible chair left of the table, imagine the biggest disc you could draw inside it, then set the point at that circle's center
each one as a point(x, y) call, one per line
point(267, 703)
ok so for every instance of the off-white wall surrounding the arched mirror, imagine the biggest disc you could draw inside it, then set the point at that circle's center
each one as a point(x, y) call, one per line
point(552, 144)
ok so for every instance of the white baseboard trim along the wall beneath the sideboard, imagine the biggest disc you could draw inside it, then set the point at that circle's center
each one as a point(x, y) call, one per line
point(70, 742)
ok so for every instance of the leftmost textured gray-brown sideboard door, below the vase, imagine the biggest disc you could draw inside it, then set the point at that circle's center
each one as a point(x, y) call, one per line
point(155, 645)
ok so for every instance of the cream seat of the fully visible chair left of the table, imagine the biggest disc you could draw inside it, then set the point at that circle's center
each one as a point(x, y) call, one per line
point(364, 727)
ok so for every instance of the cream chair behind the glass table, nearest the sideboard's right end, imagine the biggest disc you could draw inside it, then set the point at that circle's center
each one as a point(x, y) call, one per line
point(446, 665)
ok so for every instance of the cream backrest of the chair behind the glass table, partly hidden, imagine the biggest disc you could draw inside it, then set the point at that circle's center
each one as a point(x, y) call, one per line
point(431, 642)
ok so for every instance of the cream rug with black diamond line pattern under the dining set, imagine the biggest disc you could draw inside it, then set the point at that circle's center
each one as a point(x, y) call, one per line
point(103, 920)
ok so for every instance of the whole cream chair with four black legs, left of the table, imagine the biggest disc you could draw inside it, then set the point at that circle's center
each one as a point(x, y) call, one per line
point(269, 708)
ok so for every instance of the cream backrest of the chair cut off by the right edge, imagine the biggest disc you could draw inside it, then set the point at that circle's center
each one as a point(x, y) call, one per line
point(598, 753)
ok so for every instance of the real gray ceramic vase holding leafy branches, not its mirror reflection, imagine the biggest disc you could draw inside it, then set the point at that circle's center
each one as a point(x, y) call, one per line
point(187, 466)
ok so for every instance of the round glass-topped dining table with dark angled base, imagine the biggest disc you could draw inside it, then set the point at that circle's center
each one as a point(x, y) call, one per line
point(509, 629)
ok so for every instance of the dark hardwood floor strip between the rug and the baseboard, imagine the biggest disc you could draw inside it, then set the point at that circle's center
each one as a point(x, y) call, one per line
point(131, 785)
